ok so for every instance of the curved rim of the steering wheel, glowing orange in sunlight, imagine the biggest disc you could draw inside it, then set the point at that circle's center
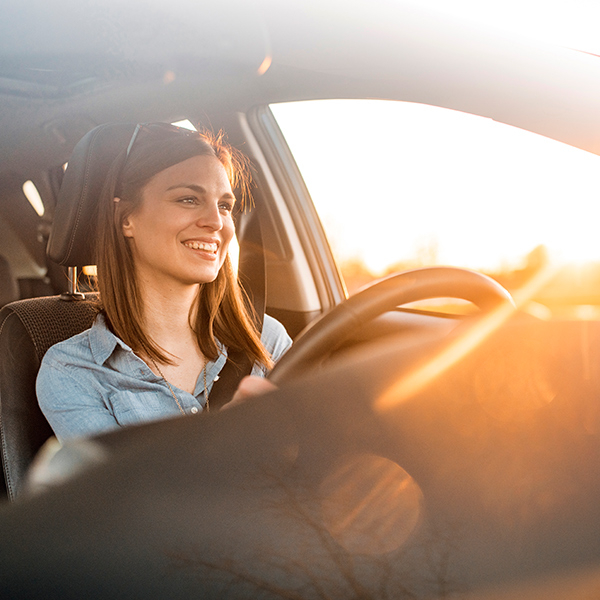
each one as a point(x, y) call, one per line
point(330, 330)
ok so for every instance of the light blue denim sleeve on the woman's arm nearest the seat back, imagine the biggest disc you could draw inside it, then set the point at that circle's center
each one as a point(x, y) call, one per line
point(73, 406)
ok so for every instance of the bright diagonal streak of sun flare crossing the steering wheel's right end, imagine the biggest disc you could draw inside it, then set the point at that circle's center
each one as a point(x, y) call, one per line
point(412, 383)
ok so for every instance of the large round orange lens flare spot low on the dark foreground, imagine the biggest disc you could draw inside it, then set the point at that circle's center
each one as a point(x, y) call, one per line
point(370, 505)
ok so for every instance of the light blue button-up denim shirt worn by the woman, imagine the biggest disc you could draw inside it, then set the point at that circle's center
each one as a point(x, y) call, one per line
point(93, 382)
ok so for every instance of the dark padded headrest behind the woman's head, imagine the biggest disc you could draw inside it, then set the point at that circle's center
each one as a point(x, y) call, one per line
point(71, 241)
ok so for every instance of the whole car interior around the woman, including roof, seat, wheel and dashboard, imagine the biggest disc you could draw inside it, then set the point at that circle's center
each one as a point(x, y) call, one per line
point(486, 425)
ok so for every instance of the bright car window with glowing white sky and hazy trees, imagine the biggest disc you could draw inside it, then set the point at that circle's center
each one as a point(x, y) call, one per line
point(401, 185)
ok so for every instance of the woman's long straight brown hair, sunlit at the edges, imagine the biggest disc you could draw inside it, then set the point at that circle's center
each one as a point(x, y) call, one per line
point(222, 311)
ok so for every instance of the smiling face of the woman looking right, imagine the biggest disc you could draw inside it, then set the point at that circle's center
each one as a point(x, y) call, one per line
point(180, 232)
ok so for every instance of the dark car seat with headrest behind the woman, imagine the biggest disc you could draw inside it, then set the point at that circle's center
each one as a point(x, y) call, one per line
point(29, 327)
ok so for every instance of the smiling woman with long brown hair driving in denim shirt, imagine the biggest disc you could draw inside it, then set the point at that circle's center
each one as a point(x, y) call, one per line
point(170, 302)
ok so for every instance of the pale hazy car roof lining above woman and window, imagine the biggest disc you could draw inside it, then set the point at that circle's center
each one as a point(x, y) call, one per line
point(106, 71)
